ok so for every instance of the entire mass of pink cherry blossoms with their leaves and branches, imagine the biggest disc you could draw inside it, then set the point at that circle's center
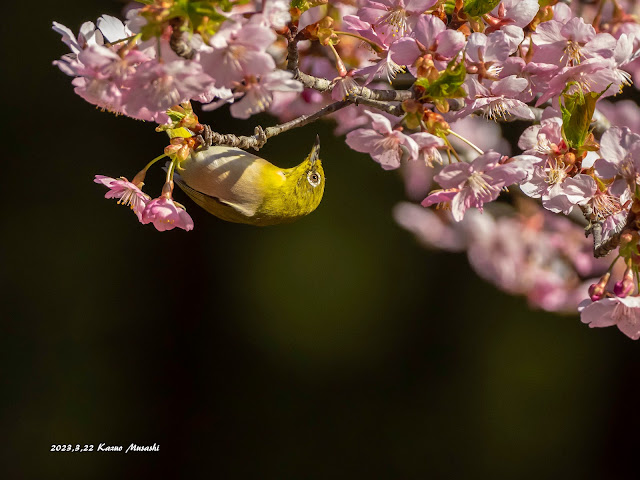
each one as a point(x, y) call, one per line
point(420, 85)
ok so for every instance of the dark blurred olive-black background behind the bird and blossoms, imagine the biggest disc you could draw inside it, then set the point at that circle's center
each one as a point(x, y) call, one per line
point(334, 347)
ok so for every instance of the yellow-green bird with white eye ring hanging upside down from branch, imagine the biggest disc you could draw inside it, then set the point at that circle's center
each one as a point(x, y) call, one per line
point(237, 186)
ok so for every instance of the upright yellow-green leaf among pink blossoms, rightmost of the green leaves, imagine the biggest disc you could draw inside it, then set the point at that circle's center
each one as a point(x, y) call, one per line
point(577, 113)
